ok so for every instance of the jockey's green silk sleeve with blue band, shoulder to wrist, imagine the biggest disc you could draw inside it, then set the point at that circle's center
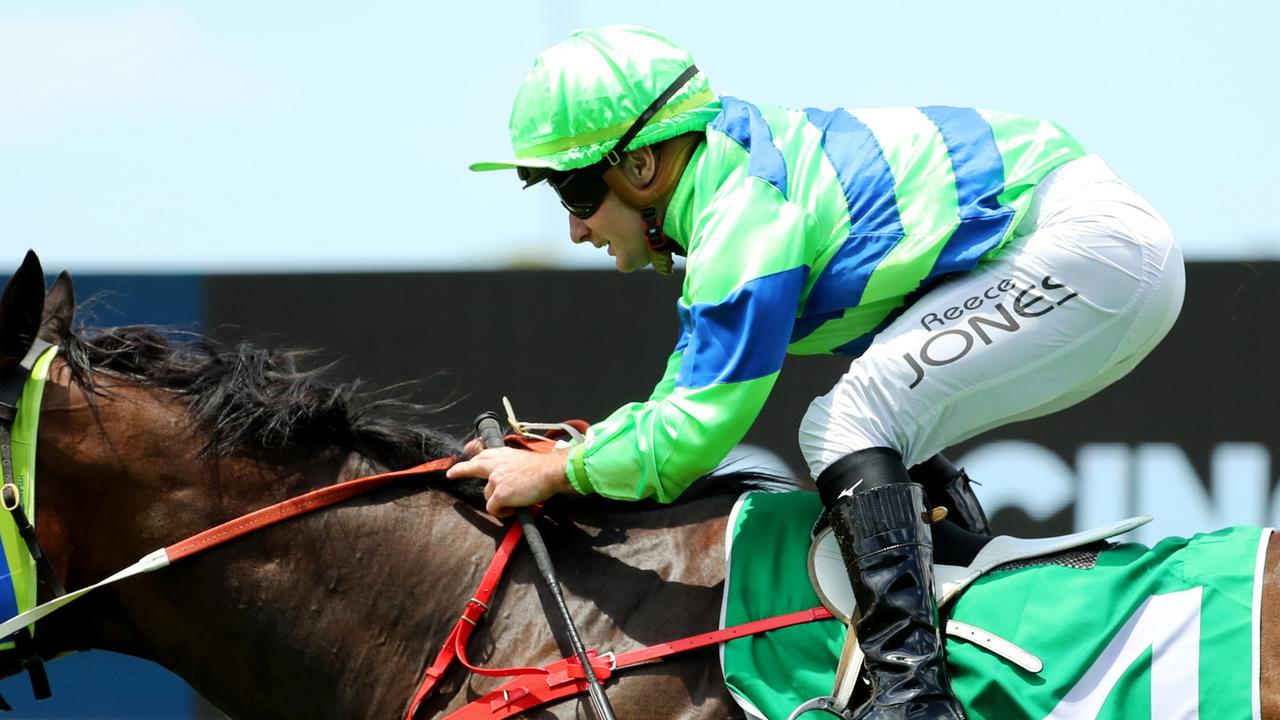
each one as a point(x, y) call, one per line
point(744, 280)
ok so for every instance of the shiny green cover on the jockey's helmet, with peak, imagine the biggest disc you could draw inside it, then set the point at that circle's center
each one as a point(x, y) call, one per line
point(587, 90)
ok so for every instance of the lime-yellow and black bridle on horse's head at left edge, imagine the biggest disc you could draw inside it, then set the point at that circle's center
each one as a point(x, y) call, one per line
point(16, 496)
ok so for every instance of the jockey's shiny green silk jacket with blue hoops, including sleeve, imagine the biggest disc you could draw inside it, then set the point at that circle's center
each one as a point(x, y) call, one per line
point(854, 211)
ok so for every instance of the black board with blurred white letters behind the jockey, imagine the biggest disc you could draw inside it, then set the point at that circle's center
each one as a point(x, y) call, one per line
point(566, 344)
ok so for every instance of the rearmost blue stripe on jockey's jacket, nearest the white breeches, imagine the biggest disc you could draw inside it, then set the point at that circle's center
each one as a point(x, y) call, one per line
point(980, 172)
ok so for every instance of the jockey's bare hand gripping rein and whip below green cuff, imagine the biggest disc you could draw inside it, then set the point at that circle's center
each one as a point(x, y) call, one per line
point(518, 479)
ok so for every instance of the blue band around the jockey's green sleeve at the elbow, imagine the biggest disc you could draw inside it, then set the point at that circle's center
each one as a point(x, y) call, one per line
point(744, 336)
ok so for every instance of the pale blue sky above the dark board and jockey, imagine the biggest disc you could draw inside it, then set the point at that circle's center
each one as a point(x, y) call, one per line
point(321, 136)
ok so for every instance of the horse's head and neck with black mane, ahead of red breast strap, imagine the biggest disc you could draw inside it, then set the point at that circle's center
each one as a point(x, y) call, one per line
point(145, 440)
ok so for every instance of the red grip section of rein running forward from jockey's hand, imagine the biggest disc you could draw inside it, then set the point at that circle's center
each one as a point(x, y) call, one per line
point(292, 508)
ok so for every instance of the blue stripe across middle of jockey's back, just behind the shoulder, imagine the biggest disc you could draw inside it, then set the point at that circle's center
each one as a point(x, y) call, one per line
point(875, 225)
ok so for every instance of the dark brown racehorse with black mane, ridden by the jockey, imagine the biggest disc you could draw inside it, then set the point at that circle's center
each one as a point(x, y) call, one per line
point(145, 440)
